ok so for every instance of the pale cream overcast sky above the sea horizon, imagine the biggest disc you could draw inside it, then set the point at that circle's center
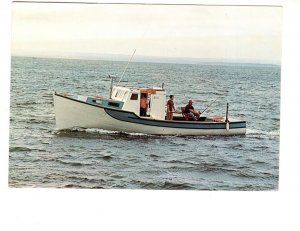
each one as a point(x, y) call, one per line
point(207, 32)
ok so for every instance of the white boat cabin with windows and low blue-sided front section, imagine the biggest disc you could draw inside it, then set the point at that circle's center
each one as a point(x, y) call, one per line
point(128, 99)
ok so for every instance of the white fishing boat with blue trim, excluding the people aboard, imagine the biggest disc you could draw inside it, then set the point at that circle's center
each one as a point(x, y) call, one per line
point(121, 112)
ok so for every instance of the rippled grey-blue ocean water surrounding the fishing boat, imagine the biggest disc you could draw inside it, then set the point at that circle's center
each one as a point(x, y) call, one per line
point(41, 156)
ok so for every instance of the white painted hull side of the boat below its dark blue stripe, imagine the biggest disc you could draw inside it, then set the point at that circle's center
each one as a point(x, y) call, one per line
point(70, 113)
